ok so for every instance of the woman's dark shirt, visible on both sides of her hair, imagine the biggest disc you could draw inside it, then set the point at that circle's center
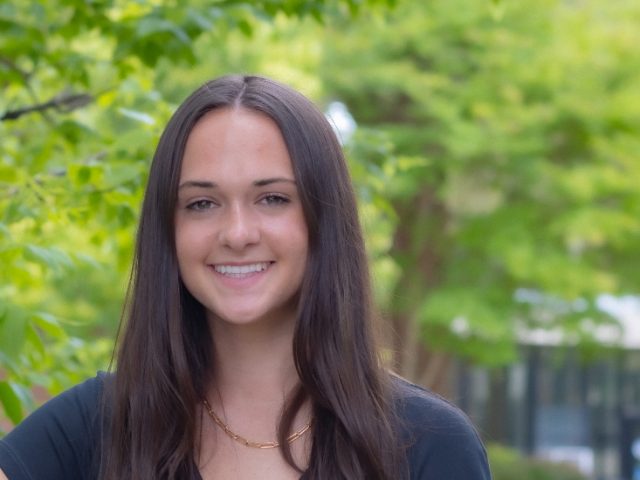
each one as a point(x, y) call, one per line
point(60, 440)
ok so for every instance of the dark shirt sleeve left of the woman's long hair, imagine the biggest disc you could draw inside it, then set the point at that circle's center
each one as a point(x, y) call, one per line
point(58, 440)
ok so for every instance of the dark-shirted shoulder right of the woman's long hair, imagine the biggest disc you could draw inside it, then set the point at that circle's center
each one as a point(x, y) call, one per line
point(441, 440)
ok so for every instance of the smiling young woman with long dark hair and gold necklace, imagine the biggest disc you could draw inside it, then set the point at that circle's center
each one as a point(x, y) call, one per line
point(247, 350)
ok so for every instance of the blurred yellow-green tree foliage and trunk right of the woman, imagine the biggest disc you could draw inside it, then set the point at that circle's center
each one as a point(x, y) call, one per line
point(525, 127)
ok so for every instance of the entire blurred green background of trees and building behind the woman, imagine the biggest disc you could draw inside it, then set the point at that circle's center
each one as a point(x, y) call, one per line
point(494, 146)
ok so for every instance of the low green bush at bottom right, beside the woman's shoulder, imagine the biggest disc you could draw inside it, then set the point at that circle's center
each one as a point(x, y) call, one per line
point(507, 464)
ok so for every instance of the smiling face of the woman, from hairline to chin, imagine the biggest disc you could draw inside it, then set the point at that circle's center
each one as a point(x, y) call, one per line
point(241, 237)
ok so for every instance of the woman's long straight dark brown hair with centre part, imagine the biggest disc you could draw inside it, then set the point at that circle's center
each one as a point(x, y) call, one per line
point(164, 357)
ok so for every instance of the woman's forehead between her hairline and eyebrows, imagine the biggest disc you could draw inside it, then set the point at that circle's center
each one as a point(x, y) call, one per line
point(235, 140)
